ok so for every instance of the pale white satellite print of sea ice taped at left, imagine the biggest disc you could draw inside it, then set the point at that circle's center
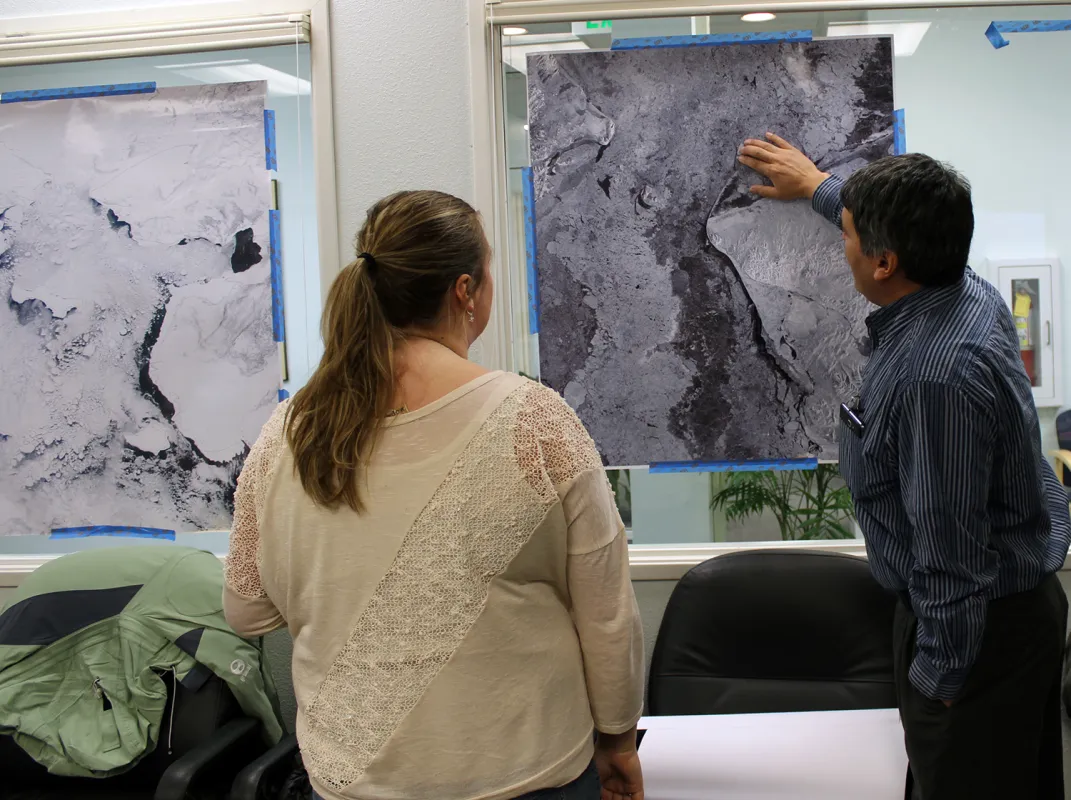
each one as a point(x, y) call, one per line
point(138, 357)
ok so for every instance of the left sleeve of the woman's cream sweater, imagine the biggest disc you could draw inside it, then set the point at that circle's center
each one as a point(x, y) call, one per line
point(249, 610)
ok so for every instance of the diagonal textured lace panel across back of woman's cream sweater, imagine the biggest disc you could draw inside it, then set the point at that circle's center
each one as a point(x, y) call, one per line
point(492, 501)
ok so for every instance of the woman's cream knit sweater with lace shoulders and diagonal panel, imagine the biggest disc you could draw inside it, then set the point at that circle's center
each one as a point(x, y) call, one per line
point(464, 637)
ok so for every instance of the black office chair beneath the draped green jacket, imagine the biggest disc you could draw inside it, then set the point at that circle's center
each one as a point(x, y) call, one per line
point(201, 749)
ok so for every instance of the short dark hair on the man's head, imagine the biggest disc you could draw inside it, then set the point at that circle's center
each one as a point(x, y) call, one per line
point(917, 208)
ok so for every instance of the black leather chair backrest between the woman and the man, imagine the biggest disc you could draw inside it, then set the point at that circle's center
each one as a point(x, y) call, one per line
point(768, 631)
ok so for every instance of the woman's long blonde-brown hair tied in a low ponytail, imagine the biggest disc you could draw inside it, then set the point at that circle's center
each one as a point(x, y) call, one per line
point(415, 247)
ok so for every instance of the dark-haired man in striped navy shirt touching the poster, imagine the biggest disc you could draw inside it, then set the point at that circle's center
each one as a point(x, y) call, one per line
point(962, 515)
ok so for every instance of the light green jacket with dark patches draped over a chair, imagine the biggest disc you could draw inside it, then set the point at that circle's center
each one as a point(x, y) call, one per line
point(84, 644)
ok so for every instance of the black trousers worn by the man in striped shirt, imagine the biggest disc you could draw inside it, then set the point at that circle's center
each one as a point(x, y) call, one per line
point(1002, 738)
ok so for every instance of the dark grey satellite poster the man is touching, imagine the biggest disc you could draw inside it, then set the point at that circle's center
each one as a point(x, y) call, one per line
point(684, 319)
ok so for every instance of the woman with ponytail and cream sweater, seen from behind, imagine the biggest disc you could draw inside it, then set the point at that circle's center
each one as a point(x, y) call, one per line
point(442, 542)
